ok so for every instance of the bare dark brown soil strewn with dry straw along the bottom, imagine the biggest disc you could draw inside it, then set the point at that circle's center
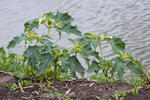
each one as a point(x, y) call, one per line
point(80, 89)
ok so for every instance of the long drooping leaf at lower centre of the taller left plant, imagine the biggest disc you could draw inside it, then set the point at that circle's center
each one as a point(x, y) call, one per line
point(45, 61)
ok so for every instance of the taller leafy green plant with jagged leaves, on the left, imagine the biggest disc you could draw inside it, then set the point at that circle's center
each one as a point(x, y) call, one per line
point(45, 58)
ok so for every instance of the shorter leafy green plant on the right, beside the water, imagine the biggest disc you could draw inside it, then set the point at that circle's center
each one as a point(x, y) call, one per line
point(91, 42)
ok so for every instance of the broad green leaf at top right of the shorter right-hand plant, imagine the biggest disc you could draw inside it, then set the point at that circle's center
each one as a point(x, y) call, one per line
point(117, 44)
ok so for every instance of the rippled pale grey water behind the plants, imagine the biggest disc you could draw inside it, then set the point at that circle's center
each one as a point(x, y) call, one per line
point(129, 19)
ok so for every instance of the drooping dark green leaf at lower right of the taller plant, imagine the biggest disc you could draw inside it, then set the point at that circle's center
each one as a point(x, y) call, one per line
point(75, 65)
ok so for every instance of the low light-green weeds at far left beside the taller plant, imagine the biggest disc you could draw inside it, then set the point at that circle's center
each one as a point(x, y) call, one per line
point(15, 64)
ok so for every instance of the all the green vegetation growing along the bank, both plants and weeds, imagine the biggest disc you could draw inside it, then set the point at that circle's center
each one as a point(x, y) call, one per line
point(44, 60)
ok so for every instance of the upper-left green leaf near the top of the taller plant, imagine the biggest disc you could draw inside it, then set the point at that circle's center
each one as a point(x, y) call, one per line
point(31, 25)
